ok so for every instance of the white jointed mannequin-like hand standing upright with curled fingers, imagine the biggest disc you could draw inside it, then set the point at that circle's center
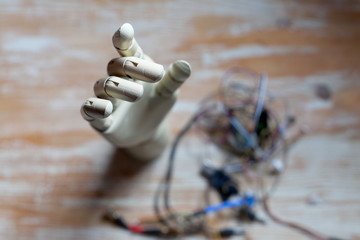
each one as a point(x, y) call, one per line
point(130, 104)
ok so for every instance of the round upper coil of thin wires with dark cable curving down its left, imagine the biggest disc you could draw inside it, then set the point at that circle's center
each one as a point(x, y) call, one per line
point(221, 117)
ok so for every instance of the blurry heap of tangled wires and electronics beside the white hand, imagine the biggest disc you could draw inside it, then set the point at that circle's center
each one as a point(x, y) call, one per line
point(248, 126)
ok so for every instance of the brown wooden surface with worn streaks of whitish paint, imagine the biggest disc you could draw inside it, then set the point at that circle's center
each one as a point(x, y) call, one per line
point(57, 175)
